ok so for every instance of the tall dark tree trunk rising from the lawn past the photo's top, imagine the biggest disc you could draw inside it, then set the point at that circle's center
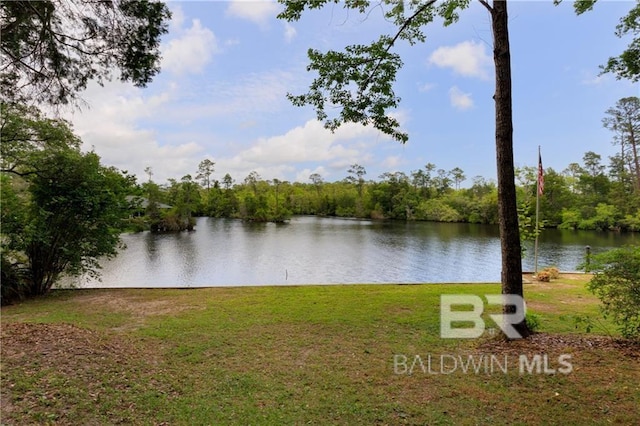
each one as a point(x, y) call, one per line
point(511, 276)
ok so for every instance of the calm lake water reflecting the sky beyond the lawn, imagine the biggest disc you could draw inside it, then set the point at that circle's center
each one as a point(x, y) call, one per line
point(313, 250)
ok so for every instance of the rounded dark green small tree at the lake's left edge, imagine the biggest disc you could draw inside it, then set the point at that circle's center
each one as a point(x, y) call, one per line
point(75, 218)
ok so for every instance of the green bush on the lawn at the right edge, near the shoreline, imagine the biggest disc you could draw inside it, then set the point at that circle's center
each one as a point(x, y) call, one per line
point(616, 282)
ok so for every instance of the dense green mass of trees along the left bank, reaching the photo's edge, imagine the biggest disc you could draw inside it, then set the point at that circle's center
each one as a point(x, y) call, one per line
point(61, 209)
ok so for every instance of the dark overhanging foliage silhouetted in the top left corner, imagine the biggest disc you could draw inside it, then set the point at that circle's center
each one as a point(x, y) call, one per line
point(50, 50)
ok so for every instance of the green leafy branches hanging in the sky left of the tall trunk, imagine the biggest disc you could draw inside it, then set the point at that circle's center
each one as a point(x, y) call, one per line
point(360, 79)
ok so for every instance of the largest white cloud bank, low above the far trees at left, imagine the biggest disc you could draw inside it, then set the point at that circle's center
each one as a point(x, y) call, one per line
point(113, 126)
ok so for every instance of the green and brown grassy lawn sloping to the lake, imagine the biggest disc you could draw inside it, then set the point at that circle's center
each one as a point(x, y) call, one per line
point(305, 355)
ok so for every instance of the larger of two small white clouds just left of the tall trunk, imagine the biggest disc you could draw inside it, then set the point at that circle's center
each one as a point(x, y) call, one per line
point(467, 58)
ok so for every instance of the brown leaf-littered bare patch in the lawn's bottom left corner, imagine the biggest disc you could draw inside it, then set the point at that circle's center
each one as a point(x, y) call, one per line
point(44, 366)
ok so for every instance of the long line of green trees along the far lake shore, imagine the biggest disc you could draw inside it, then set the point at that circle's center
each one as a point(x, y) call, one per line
point(585, 195)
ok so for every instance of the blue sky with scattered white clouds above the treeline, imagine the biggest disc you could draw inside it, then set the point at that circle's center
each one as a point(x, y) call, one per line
point(227, 66)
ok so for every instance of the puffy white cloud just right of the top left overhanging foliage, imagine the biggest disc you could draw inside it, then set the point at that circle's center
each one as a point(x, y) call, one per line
point(191, 51)
